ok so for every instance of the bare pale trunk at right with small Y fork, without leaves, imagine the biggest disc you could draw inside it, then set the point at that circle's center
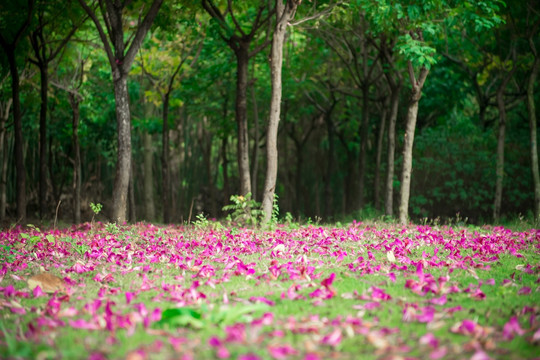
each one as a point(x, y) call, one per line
point(412, 113)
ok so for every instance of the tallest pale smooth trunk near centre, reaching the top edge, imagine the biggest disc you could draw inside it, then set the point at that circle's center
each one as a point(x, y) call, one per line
point(284, 13)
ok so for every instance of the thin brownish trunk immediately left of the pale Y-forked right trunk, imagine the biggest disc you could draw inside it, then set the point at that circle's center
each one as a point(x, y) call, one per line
point(389, 193)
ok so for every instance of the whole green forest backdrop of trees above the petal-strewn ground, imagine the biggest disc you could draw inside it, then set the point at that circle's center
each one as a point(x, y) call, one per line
point(162, 110)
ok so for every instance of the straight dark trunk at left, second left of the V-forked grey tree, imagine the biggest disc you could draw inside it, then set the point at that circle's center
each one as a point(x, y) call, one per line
point(44, 77)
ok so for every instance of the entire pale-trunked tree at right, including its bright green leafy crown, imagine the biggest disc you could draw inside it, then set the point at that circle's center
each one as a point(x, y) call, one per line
point(410, 21)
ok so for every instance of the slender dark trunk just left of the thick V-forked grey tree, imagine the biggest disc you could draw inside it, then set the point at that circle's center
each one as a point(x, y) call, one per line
point(74, 101)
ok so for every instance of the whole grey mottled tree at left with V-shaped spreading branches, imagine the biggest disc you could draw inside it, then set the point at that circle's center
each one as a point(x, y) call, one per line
point(121, 54)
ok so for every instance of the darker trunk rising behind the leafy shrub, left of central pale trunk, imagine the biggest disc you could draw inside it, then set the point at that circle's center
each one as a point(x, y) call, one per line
point(242, 58)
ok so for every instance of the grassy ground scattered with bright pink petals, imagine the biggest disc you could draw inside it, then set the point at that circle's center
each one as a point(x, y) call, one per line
point(361, 291)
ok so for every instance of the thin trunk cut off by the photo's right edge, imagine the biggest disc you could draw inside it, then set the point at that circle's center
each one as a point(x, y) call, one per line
point(534, 148)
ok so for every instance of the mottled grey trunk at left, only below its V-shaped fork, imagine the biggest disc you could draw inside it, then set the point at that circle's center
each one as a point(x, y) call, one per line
point(123, 166)
